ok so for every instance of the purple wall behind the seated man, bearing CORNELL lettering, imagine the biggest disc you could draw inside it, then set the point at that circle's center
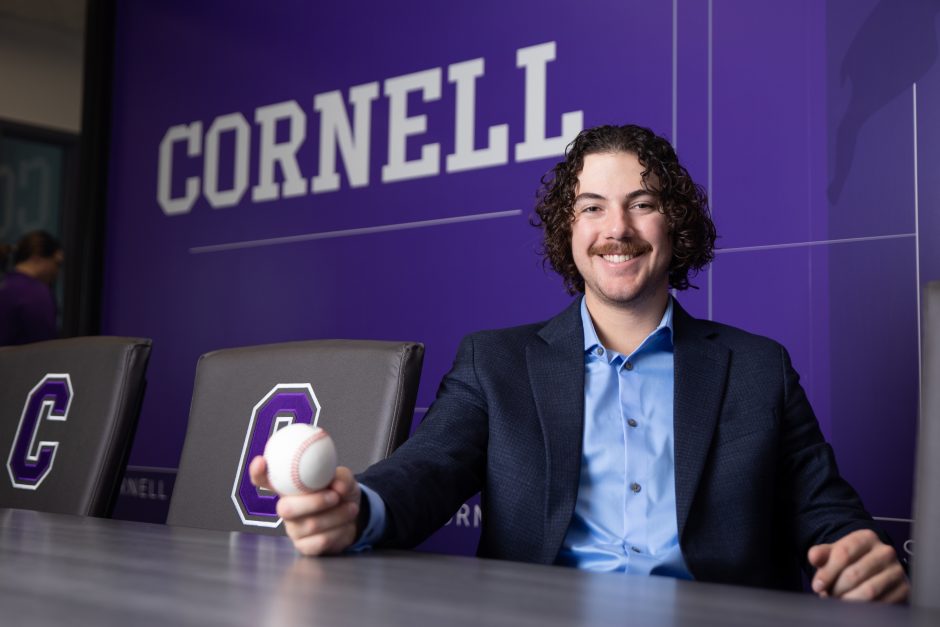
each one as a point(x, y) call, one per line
point(797, 116)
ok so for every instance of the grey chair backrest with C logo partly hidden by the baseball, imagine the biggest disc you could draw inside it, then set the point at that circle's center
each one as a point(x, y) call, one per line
point(362, 392)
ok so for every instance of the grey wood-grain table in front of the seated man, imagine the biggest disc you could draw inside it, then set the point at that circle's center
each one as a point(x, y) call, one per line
point(68, 570)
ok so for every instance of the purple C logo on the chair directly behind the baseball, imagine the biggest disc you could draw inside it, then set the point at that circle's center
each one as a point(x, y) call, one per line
point(286, 403)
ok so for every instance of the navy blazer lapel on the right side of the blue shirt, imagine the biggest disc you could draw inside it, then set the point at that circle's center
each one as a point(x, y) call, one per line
point(701, 370)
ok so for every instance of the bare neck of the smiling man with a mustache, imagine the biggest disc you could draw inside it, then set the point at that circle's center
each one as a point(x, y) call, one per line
point(623, 328)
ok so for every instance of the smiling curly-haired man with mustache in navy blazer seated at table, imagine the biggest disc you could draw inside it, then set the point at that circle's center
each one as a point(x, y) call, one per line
point(622, 435)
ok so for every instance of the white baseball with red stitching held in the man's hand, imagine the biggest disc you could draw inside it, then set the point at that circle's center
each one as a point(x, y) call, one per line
point(300, 458)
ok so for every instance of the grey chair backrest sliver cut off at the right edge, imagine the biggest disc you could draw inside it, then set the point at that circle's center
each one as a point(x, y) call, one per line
point(926, 559)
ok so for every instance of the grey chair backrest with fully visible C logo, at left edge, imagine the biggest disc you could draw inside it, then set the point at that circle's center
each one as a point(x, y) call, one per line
point(68, 411)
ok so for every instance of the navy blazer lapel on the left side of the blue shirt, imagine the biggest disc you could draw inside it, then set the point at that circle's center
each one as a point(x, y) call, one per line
point(555, 361)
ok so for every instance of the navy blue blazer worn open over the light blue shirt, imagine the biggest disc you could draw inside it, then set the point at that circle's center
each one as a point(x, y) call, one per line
point(756, 484)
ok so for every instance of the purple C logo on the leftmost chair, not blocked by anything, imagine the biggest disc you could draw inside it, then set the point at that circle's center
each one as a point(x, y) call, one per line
point(30, 461)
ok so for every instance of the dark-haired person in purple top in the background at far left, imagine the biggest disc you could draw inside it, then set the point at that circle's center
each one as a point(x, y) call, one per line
point(27, 305)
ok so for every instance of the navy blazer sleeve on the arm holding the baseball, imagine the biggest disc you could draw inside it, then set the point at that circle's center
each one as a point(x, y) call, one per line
point(441, 465)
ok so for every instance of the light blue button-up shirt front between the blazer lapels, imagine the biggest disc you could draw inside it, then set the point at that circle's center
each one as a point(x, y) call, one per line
point(625, 516)
